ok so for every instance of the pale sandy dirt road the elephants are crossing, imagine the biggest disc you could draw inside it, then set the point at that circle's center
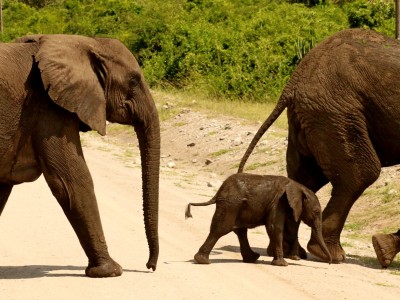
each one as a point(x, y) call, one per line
point(40, 257)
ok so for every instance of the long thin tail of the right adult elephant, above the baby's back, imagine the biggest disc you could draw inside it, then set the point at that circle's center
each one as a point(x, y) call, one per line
point(279, 108)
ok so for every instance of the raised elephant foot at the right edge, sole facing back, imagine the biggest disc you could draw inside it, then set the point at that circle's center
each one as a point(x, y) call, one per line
point(386, 247)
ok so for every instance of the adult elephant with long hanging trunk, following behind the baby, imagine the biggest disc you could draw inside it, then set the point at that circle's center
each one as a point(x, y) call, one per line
point(51, 88)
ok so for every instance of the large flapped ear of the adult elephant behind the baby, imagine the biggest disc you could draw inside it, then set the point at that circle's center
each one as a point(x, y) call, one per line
point(73, 75)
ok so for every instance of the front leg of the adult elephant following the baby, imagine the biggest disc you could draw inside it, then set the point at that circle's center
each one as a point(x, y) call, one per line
point(66, 173)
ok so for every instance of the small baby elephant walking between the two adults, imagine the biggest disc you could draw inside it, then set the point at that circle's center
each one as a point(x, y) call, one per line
point(249, 200)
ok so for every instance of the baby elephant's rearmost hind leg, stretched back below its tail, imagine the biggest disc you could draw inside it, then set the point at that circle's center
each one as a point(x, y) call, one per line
point(222, 223)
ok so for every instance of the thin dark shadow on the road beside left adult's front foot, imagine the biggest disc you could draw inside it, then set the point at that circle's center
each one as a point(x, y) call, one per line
point(39, 271)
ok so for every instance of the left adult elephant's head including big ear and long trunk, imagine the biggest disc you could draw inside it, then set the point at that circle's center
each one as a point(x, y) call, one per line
point(99, 79)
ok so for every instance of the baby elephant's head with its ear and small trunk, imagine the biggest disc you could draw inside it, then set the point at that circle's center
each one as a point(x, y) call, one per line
point(306, 207)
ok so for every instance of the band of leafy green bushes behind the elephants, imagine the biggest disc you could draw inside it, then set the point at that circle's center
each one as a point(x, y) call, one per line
point(230, 49)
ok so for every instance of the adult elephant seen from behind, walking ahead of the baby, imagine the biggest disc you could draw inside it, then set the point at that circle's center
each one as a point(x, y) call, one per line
point(343, 106)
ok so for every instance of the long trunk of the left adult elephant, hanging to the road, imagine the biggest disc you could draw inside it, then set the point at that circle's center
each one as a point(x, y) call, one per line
point(148, 133)
